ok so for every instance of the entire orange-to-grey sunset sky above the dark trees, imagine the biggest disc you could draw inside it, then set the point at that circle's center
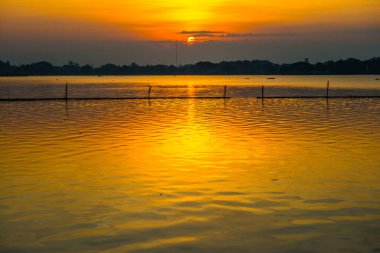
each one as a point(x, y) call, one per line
point(156, 31)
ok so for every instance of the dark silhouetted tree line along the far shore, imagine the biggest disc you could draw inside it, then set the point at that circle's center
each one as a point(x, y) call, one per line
point(349, 66)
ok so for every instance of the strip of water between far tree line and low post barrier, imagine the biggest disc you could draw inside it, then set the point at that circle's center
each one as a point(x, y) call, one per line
point(186, 86)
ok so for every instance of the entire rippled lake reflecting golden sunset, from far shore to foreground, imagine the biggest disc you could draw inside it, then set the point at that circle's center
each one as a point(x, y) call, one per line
point(194, 175)
